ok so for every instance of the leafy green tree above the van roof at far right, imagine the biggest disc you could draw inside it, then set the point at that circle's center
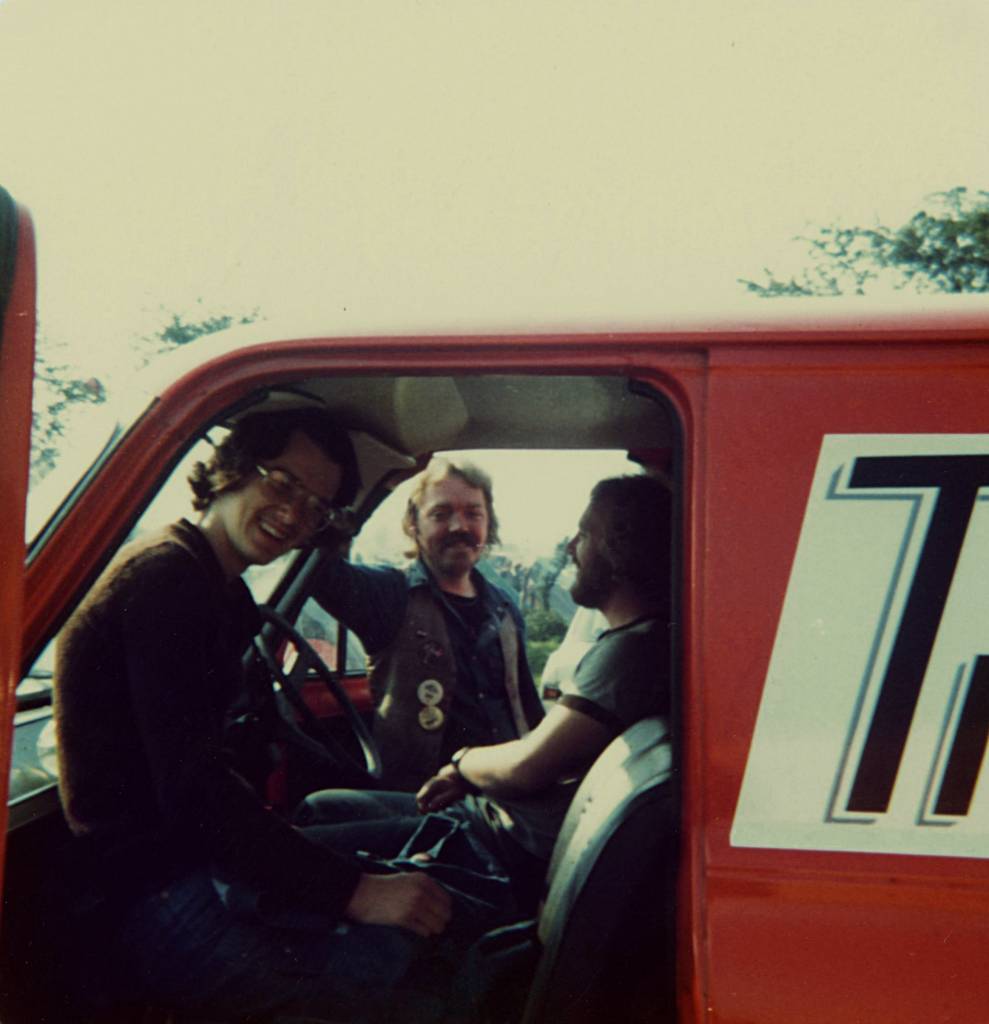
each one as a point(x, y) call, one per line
point(947, 250)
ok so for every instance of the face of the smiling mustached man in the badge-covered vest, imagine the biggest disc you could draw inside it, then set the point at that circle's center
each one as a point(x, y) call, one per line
point(452, 531)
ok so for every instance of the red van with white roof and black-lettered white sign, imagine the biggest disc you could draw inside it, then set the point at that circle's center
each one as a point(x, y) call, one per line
point(833, 650)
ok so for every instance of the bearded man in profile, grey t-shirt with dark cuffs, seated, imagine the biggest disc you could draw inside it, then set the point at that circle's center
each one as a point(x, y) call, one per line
point(512, 797)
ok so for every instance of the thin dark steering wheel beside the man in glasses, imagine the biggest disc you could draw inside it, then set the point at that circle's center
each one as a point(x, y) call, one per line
point(291, 685)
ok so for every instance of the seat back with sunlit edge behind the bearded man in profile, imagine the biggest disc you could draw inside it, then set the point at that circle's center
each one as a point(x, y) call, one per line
point(608, 926)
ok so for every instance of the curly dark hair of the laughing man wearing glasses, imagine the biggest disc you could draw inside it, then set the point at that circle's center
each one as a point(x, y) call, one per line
point(266, 436)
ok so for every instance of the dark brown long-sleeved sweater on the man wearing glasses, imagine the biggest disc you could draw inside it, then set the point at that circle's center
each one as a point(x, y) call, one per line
point(147, 668)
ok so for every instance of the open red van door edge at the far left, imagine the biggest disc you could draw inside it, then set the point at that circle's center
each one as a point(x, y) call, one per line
point(17, 374)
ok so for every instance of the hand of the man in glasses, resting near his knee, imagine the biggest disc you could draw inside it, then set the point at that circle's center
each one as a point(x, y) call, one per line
point(414, 902)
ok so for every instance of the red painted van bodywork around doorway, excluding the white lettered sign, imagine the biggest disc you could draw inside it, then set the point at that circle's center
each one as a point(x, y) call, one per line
point(767, 936)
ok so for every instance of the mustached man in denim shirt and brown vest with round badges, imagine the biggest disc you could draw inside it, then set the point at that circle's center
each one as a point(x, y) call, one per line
point(446, 646)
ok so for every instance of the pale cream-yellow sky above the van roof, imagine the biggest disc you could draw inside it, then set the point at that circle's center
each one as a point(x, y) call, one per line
point(457, 160)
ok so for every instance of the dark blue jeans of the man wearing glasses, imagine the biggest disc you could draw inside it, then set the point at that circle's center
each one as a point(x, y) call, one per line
point(199, 947)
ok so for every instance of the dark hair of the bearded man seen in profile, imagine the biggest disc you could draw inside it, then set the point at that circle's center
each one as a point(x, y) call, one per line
point(637, 539)
